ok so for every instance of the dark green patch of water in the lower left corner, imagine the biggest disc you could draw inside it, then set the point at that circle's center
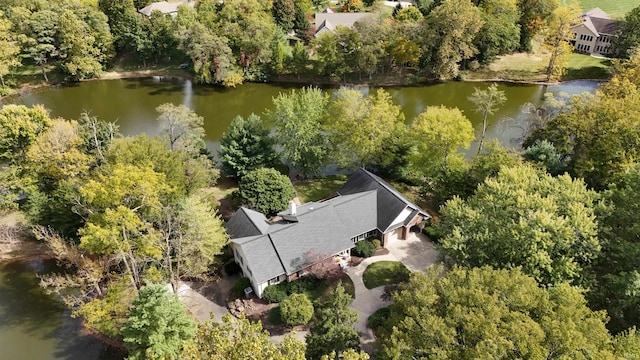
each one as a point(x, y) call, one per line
point(34, 325)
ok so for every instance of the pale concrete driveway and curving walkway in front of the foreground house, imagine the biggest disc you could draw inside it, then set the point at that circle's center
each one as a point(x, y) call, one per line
point(417, 253)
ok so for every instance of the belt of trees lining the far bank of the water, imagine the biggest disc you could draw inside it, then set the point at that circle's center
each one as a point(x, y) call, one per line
point(233, 41)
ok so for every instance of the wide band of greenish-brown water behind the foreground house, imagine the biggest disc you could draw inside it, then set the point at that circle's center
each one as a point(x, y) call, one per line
point(132, 102)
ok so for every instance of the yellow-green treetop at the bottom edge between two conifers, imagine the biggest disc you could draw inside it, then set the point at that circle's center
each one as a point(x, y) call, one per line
point(240, 339)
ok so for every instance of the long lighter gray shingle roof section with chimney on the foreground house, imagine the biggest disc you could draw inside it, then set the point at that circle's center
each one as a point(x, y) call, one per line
point(321, 230)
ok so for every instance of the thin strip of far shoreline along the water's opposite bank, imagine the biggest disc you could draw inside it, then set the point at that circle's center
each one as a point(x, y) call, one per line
point(291, 79)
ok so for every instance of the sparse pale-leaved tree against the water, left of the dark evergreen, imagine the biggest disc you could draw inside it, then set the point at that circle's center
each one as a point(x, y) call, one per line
point(183, 127)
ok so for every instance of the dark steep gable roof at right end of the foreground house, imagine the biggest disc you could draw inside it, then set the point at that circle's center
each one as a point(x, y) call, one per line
point(390, 202)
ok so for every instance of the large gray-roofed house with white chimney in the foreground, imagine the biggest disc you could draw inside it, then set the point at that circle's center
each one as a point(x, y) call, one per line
point(272, 251)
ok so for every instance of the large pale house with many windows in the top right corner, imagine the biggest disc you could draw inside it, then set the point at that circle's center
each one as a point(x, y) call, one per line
point(596, 33)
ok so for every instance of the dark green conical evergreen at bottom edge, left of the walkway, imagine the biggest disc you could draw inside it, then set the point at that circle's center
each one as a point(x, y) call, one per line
point(332, 328)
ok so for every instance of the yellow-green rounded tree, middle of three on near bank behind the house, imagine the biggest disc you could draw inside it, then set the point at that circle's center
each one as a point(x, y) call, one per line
point(359, 126)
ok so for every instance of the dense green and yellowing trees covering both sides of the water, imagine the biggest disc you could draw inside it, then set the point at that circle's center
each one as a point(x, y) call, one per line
point(540, 246)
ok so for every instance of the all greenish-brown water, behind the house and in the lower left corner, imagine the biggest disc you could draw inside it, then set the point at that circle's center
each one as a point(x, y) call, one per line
point(34, 325)
